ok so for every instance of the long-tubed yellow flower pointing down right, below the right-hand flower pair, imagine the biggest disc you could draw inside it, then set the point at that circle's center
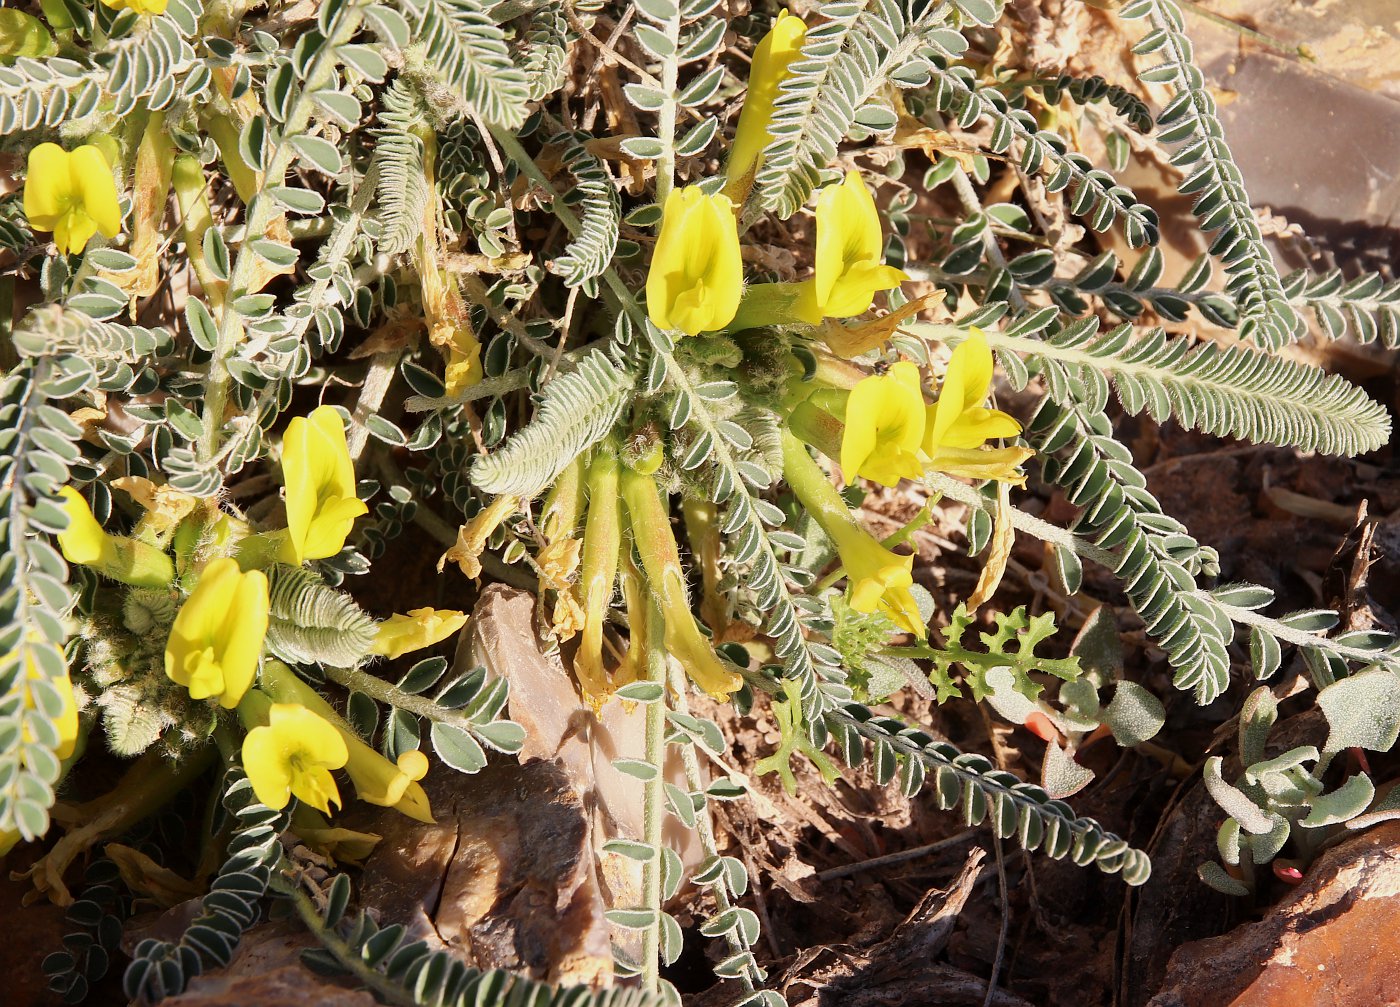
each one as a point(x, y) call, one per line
point(880, 579)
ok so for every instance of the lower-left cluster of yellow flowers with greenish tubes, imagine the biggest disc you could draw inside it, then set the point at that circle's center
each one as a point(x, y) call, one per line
point(216, 642)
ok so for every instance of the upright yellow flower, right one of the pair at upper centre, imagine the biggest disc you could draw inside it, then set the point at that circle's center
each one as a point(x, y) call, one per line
point(850, 251)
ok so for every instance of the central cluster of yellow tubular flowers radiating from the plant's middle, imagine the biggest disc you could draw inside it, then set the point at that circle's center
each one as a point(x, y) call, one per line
point(878, 426)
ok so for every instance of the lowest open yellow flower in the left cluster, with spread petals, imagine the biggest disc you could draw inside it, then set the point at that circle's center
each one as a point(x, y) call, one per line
point(293, 754)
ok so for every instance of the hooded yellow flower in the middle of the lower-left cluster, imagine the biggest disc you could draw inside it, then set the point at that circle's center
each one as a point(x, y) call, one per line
point(219, 632)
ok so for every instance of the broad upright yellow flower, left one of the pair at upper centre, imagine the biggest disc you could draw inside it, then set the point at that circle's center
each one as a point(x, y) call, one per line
point(696, 275)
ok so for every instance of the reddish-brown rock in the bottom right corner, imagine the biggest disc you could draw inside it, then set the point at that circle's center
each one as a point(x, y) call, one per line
point(1331, 942)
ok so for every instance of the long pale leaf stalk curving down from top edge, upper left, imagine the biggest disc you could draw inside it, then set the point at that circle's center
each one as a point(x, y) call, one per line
point(261, 214)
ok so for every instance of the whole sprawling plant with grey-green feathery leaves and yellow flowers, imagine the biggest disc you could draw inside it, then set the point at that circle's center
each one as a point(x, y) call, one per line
point(607, 295)
